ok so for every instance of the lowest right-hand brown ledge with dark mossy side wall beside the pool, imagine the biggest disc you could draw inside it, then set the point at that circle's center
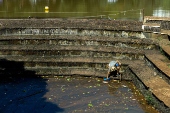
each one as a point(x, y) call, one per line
point(151, 92)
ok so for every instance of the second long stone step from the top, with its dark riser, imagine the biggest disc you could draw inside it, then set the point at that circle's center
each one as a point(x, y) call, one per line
point(80, 40)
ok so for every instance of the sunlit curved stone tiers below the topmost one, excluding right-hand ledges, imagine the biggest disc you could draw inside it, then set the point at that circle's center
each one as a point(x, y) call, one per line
point(72, 55)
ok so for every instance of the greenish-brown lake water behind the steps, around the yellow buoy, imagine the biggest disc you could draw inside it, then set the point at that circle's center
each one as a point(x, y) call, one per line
point(115, 9)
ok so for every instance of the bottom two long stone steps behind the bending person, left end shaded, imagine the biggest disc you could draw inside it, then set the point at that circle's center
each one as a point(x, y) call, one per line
point(84, 66)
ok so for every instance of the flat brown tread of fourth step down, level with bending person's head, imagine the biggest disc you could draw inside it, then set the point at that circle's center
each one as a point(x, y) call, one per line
point(32, 58)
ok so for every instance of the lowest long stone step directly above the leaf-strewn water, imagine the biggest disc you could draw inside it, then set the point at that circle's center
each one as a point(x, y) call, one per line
point(61, 71)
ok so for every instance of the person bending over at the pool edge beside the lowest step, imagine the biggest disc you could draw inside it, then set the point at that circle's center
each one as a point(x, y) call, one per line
point(113, 66)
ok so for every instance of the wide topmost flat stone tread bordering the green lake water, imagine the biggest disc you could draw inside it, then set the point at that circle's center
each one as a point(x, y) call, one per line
point(72, 23)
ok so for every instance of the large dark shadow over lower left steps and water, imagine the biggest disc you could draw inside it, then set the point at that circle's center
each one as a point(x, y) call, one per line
point(21, 91)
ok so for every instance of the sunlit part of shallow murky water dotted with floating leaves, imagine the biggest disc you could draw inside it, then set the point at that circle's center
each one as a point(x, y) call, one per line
point(93, 95)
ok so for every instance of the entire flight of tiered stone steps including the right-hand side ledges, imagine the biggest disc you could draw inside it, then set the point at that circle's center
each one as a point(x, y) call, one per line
point(84, 48)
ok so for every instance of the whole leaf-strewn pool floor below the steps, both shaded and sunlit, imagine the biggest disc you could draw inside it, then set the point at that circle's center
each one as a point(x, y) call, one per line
point(70, 94)
